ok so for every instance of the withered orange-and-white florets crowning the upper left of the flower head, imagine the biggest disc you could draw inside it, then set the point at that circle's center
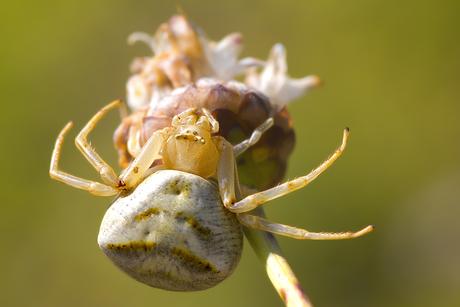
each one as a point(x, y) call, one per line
point(182, 55)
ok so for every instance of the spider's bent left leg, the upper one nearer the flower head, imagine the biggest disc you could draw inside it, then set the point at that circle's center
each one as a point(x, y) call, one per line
point(81, 141)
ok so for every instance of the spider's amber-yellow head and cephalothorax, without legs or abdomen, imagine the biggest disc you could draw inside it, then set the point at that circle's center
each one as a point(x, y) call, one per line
point(190, 146)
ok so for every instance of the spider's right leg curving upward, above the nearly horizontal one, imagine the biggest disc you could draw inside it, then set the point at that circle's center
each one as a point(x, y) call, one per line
point(252, 201)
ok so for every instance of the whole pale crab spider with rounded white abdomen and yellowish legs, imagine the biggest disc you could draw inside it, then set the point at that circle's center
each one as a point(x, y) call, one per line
point(177, 225)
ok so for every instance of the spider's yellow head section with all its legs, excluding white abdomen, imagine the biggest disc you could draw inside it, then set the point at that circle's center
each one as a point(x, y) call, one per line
point(188, 145)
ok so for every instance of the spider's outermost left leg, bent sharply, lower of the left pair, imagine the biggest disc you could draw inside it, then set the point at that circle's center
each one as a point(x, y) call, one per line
point(93, 187)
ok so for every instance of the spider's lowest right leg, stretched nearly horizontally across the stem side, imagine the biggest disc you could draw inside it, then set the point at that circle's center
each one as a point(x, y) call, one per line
point(260, 223)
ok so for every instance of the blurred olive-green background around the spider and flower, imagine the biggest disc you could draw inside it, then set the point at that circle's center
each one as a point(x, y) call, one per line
point(391, 72)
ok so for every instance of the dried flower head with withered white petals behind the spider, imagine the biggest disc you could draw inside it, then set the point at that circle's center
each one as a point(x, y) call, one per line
point(187, 70)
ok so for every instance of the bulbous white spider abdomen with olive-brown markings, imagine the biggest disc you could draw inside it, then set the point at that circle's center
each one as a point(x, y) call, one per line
point(172, 232)
